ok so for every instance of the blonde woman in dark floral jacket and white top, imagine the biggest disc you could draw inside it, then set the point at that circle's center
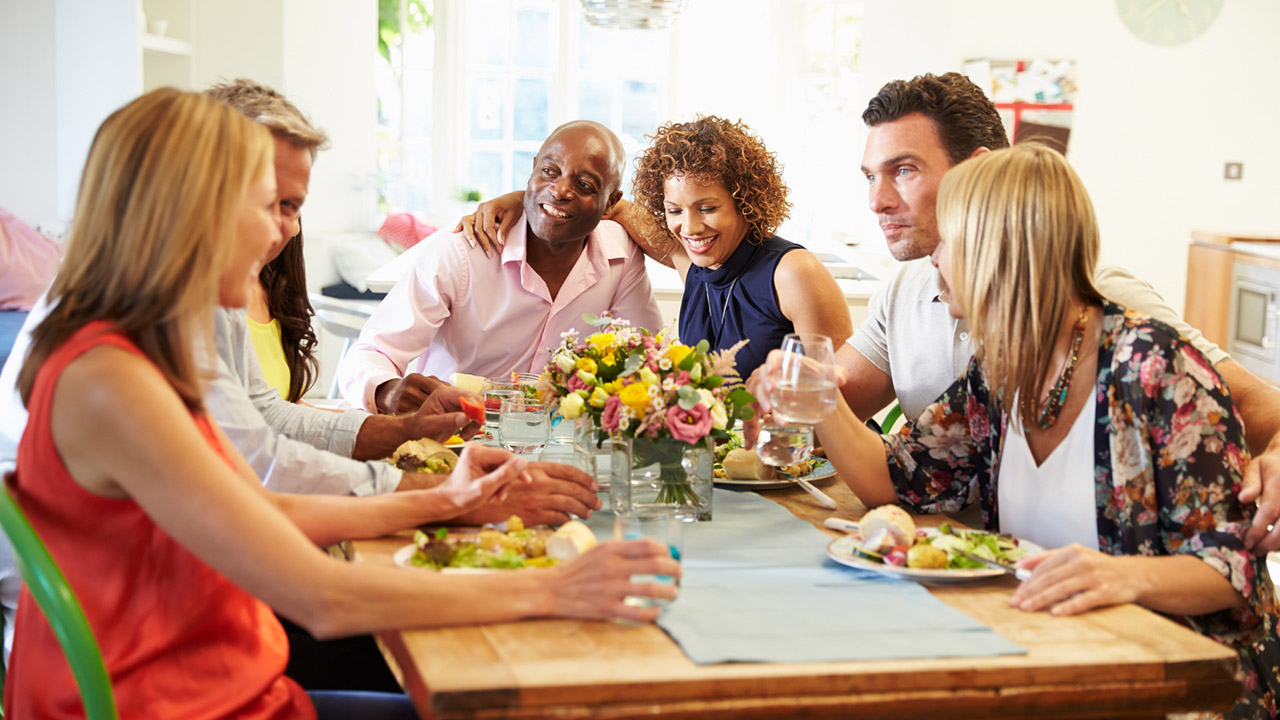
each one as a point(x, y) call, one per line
point(1081, 426)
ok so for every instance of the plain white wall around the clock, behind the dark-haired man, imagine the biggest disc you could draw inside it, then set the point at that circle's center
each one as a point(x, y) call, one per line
point(1154, 126)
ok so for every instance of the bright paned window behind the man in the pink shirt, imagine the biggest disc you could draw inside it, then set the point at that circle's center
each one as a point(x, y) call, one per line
point(522, 69)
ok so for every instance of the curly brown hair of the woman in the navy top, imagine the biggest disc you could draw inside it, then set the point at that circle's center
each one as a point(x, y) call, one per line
point(714, 151)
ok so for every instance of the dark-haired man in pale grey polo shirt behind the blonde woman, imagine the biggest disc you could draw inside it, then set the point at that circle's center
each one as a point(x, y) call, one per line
point(912, 349)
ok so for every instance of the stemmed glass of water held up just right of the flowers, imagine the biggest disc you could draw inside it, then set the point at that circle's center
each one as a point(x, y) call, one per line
point(803, 395)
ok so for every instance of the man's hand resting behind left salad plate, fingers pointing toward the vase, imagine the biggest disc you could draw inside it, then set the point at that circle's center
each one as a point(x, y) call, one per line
point(551, 494)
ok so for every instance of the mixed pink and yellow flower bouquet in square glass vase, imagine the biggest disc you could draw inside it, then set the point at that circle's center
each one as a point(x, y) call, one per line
point(662, 403)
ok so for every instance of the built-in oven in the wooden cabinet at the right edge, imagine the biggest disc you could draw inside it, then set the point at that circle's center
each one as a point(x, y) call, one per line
point(1255, 321)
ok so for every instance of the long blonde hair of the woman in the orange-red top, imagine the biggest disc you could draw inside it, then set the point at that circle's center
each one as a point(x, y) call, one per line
point(154, 231)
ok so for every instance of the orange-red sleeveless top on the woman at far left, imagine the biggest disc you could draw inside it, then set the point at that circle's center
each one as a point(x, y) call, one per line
point(179, 639)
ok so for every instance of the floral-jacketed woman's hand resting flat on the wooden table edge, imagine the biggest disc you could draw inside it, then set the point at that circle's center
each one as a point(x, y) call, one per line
point(1075, 580)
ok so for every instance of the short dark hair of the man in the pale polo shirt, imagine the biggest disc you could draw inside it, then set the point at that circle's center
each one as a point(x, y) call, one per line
point(963, 115)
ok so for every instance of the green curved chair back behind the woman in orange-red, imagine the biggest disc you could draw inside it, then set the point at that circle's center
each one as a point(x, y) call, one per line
point(60, 605)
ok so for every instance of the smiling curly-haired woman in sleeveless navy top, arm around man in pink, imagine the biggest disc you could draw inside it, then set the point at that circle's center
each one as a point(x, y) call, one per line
point(720, 194)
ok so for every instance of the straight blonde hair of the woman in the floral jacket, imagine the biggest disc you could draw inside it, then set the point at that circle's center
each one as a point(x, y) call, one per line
point(1025, 247)
